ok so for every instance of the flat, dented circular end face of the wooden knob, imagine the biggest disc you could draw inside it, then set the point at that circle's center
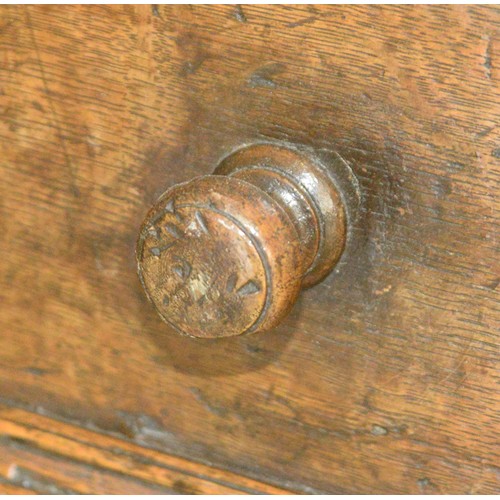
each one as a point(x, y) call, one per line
point(203, 274)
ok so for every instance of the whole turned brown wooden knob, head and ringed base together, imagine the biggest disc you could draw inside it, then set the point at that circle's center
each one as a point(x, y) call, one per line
point(227, 254)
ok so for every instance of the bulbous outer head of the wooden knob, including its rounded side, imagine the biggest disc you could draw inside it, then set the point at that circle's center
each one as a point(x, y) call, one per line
point(211, 261)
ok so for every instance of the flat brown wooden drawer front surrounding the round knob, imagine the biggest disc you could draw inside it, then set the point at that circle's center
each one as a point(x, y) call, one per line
point(384, 379)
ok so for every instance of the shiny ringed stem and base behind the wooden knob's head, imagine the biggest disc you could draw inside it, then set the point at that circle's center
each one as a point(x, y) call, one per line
point(306, 190)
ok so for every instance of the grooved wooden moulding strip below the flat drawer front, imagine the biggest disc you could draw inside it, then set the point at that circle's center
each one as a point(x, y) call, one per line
point(54, 457)
